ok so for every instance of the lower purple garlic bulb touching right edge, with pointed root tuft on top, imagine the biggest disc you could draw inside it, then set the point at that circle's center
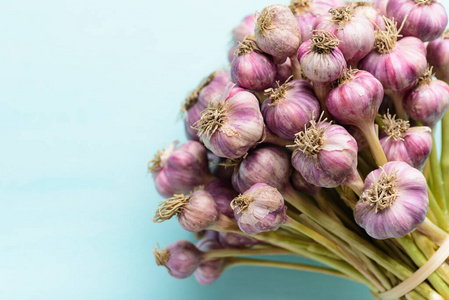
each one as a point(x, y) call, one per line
point(428, 101)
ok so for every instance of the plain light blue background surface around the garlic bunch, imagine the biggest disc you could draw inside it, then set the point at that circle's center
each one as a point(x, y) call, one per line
point(89, 91)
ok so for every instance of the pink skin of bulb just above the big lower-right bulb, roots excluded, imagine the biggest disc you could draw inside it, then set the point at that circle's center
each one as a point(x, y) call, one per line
point(412, 147)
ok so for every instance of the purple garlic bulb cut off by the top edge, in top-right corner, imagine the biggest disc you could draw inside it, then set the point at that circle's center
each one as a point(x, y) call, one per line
point(424, 19)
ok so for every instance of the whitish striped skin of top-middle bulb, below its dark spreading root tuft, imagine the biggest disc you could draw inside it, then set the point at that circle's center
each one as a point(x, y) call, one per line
point(322, 67)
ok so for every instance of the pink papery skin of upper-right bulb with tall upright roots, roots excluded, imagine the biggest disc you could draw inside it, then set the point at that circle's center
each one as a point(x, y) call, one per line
point(398, 69)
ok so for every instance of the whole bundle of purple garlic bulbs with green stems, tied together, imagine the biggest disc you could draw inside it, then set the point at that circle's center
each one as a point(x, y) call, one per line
point(319, 142)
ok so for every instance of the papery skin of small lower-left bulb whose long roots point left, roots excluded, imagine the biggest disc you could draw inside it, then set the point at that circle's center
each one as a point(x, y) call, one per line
point(199, 213)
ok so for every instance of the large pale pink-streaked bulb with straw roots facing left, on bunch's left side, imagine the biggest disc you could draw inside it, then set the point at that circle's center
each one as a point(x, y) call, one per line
point(233, 124)
